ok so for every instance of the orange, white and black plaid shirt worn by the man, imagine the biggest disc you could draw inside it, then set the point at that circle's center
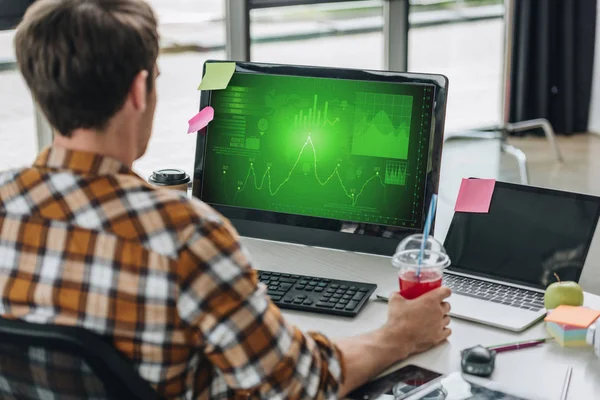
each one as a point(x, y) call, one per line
point(86, 242)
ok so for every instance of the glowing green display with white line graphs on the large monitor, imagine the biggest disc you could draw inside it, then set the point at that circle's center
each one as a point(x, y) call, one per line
point(332, 148)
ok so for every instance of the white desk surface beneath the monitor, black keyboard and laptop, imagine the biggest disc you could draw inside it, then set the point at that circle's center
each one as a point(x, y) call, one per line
point(539, 371)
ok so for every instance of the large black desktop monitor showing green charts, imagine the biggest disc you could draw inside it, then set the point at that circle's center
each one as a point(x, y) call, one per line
point(329, 157)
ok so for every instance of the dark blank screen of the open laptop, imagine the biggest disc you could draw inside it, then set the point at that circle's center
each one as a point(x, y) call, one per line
point(528, 235)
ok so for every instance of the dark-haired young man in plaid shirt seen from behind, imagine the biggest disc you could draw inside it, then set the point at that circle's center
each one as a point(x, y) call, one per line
point(86, 242)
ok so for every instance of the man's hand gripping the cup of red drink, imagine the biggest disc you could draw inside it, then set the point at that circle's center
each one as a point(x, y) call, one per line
point(420, 324)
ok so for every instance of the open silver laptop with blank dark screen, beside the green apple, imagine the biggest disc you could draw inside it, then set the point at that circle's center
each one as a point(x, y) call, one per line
point(503, 261)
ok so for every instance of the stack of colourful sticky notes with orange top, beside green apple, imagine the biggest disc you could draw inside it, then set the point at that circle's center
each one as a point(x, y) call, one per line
point(568, 324)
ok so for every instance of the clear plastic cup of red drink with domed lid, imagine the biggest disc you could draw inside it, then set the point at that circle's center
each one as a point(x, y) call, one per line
point(416, 279)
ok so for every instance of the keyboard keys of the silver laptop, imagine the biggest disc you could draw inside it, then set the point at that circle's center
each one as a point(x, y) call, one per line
point(502, 294)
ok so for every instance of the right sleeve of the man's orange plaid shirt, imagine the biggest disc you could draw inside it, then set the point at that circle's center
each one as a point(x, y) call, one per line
point(246, 337)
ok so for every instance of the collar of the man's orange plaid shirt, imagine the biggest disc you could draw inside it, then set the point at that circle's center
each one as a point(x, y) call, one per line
point(85, 163)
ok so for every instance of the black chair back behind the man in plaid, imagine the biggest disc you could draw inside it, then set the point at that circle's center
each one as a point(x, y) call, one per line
point(64, 363)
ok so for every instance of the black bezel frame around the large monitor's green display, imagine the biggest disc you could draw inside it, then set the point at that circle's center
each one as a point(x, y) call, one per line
point(367, 241)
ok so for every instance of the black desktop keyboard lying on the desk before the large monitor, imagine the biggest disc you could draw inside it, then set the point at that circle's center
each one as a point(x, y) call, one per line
point(314, 294)
